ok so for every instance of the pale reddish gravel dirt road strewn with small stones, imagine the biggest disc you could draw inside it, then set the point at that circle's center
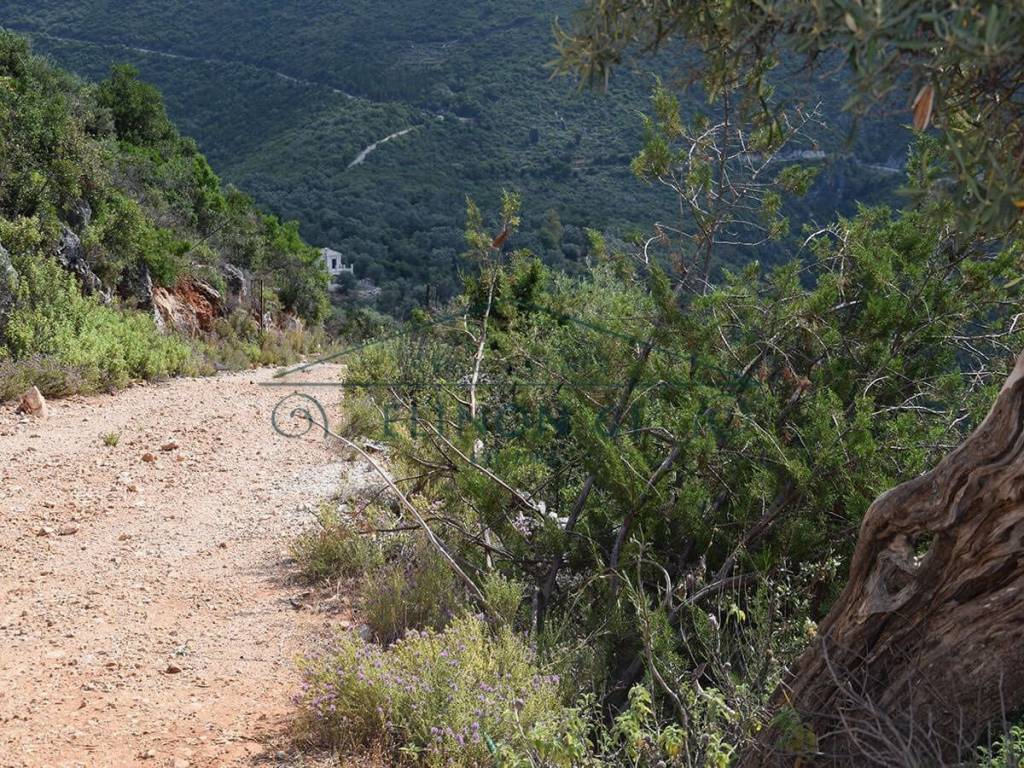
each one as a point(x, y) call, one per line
point(150, 612)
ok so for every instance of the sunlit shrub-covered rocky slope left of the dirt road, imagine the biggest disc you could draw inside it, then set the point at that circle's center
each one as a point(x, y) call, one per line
point(103, 203)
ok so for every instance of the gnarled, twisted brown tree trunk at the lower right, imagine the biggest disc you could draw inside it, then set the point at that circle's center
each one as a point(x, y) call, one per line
point(925, 648)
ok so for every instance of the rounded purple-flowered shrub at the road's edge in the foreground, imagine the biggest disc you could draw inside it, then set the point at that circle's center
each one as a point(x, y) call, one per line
point(465, 697)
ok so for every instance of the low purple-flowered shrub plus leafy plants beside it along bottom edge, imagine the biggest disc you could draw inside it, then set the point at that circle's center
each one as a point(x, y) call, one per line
point(477, 694)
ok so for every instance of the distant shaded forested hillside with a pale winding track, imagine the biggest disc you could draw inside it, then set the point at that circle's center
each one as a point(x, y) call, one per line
point(283, 98)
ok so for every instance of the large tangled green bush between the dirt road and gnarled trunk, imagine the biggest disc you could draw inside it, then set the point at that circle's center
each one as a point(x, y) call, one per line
point(762, 415)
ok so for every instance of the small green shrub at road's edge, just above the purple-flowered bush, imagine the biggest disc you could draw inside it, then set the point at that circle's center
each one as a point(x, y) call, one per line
point(335, 549)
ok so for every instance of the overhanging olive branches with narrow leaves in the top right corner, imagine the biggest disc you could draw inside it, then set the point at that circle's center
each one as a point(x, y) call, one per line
point(959, 64)
